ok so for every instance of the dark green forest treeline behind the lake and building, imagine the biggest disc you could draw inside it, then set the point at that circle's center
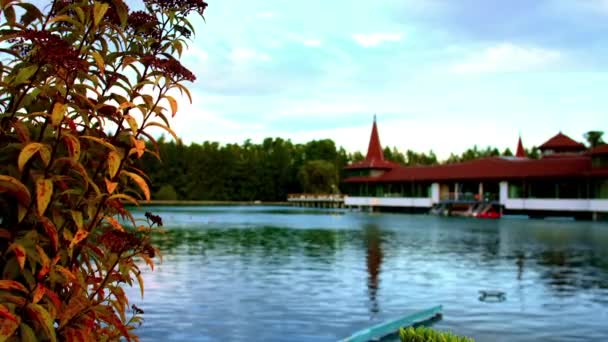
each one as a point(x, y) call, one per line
point(267, 171)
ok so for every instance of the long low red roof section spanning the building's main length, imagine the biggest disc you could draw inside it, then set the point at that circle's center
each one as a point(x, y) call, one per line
point(495, 168)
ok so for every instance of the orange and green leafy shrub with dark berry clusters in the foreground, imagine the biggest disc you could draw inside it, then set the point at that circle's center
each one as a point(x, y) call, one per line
point(81, 83)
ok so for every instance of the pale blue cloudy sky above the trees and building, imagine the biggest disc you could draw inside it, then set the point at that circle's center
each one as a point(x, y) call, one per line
point(440, 74)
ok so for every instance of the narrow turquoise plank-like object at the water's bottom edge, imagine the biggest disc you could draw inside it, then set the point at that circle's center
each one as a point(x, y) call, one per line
point(378, 331)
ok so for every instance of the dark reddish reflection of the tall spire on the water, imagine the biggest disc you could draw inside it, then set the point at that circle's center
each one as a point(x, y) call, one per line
point(374, 262)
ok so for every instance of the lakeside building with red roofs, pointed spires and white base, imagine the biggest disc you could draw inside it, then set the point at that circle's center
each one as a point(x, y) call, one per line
point(567, 179)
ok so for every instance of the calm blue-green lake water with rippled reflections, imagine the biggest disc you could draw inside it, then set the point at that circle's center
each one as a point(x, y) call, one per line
point(279, 274)
